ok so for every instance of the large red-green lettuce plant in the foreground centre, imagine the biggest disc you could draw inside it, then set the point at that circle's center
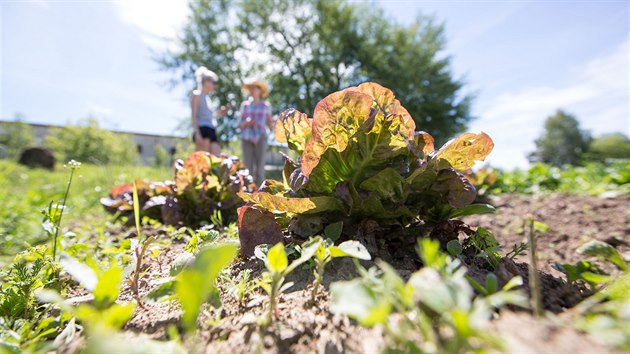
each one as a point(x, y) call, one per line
point(361, 158)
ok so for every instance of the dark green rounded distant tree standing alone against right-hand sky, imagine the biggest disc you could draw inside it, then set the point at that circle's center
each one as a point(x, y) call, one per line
point(562, 142)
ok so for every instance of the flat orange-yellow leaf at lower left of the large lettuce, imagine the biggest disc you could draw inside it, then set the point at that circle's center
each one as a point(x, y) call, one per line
point(280, 204)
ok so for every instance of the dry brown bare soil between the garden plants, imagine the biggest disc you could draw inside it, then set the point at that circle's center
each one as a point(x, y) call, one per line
point(304, 327)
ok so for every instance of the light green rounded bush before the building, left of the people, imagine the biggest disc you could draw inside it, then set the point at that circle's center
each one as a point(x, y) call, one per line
point(88, 143)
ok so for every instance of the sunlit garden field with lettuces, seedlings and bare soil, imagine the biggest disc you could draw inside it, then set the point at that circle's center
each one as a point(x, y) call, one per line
point(381, 245)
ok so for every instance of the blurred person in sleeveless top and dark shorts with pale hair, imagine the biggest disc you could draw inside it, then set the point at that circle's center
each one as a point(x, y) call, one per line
point(204, 126)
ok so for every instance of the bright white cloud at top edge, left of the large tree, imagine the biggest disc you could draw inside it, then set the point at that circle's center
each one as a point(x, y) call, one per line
point(159, 20)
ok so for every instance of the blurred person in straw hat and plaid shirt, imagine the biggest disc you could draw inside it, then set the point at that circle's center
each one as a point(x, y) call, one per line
point(255, 120)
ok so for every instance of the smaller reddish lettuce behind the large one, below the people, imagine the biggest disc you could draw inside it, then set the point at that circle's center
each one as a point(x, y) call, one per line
point(203, 185)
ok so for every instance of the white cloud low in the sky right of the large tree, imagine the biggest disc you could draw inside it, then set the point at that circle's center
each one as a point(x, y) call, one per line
point(597, 95)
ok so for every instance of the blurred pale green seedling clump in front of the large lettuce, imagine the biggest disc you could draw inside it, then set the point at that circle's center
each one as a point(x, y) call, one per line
point(437, 309)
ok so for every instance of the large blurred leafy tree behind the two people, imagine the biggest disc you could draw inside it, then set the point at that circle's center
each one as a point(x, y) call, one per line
point(307, 49)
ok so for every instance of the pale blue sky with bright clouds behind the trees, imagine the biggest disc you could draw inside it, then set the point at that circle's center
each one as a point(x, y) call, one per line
point(61, 61)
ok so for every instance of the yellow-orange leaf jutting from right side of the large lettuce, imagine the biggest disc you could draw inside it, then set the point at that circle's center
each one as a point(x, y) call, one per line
point(462, 152)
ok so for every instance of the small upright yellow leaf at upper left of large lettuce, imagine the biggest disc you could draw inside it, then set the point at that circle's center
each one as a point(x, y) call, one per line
point(294, 128)
